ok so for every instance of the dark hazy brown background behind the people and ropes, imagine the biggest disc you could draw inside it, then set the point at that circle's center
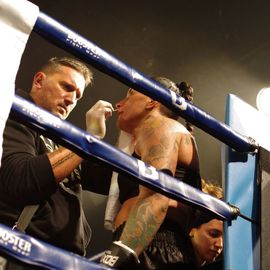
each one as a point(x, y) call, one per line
point(218, 46)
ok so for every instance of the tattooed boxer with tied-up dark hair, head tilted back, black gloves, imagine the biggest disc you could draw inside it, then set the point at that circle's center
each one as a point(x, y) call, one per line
point(148, 224)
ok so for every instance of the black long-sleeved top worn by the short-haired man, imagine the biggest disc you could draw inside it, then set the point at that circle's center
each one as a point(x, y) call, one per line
point(26, 177)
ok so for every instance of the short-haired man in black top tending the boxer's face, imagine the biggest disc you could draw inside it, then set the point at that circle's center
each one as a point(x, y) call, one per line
point(35, 171)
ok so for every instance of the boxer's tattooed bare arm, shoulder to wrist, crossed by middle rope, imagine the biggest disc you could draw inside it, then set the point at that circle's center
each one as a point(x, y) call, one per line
point(157, 146)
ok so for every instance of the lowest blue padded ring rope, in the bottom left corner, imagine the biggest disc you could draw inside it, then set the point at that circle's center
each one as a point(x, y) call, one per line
point(29, 250)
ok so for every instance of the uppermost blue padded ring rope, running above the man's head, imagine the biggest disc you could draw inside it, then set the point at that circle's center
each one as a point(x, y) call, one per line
point(67, 39)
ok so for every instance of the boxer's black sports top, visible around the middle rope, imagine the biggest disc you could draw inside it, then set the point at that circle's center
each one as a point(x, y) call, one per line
point(128, 188)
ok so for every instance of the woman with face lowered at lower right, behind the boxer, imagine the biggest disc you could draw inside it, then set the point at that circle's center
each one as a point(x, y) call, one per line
point(202, 240)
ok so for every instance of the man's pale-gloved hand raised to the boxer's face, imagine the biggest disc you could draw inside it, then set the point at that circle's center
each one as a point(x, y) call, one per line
point(96, 117)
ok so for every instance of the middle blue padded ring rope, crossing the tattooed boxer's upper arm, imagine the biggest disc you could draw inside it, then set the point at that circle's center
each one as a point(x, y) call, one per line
point(90, 147)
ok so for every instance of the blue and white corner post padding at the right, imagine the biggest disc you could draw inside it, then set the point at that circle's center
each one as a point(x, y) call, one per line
point(242, 238)
